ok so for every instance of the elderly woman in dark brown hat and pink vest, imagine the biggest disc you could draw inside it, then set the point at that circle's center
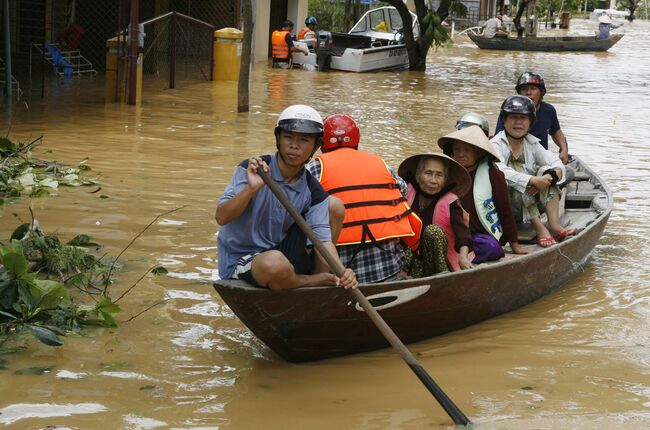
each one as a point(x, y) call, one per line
point(435, 182)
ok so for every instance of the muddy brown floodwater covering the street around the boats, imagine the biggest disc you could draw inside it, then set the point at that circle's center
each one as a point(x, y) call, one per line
point(576, 359)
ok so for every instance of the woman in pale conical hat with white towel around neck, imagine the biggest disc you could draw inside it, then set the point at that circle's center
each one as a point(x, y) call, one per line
point(492, 223)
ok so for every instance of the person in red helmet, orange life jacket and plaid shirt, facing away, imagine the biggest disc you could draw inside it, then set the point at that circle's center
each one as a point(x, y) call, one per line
point(378, 224)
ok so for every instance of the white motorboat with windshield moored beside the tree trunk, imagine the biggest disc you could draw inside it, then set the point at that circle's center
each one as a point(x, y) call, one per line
point(376, 42)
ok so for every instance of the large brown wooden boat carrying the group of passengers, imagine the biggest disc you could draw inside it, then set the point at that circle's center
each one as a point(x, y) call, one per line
point(314, 323)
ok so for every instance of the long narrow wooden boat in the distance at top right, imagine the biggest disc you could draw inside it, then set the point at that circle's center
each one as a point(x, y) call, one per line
point(559, 43)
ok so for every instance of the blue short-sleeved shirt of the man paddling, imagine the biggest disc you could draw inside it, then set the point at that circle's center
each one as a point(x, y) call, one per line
point(265, 222)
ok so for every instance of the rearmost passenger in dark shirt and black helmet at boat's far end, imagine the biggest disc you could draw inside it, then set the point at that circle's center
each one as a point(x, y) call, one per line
point(532, 85)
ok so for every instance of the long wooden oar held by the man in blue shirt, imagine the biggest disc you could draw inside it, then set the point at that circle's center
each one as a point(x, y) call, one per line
point(447, 404)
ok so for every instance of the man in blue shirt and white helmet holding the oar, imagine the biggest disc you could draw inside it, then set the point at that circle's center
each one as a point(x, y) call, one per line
point(259, 241)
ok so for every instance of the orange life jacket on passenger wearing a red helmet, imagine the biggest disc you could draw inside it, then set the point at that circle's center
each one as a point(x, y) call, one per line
point(375, 209)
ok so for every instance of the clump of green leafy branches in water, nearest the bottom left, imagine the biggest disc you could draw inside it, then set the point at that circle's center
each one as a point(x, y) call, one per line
point(38, 278)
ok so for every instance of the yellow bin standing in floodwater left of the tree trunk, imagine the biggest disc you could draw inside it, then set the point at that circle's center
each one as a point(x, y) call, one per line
point(227, 54)
